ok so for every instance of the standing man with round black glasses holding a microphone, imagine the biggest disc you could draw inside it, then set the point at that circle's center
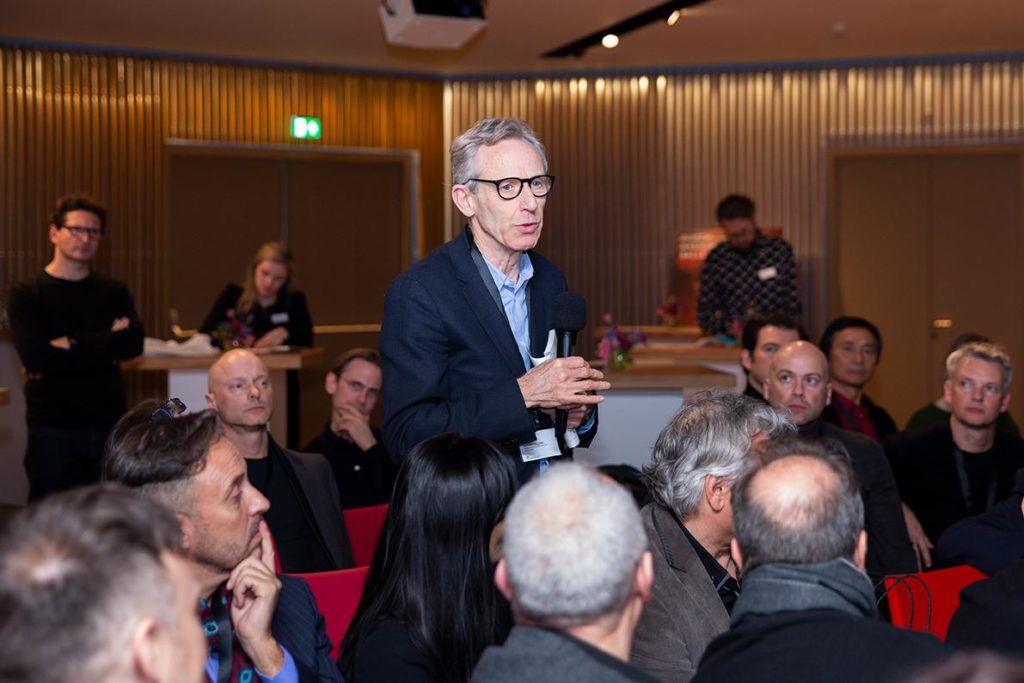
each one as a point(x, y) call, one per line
point(461, 326)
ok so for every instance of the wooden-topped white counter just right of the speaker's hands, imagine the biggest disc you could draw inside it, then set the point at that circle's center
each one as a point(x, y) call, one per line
point(642, 402)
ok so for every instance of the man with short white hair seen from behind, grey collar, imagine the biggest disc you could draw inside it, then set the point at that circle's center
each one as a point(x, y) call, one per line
point(578, 574)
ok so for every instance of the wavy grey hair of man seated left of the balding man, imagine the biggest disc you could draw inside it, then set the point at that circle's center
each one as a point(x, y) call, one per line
point(711, 436)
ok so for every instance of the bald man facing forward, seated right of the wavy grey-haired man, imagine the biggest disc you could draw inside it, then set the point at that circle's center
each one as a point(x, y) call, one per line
point(798, 383)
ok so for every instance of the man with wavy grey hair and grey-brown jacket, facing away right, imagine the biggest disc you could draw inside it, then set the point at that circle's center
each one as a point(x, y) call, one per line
point(697, 460)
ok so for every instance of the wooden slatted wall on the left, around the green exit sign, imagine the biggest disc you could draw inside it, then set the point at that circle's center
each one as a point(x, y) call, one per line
point(83, 121)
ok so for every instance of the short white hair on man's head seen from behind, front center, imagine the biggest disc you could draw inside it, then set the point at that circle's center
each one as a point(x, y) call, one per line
point(573, 541)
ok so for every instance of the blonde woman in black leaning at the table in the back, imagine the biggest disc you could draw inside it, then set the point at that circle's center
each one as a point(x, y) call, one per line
point(263, 313)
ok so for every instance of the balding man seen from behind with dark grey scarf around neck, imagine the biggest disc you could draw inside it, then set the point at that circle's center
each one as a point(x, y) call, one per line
point(807, 612)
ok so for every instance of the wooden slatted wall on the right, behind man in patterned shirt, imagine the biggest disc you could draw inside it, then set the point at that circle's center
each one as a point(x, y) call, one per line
point(638, 159)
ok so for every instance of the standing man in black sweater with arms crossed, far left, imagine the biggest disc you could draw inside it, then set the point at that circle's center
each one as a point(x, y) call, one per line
point(71, 328)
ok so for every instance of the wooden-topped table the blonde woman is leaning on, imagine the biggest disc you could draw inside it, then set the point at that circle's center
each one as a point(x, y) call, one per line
point(187, 379)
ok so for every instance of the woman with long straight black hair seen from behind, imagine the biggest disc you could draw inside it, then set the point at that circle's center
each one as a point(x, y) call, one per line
point(431, 607)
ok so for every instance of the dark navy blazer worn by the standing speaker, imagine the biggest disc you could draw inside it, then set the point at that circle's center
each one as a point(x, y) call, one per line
point(450, 360)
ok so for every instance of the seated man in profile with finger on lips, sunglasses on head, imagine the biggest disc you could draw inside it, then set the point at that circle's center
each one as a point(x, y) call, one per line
point(258, 623)
